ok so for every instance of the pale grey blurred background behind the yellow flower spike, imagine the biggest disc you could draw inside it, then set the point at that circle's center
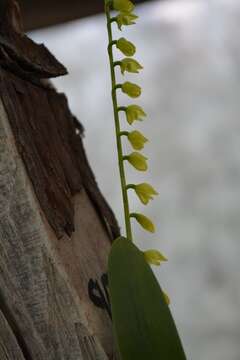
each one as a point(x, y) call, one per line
point(191, 92)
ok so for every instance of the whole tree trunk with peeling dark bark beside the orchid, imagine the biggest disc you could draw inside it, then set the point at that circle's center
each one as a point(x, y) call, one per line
point(55, 226)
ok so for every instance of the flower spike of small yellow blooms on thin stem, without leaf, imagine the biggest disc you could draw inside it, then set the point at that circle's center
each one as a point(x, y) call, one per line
point(137, 140)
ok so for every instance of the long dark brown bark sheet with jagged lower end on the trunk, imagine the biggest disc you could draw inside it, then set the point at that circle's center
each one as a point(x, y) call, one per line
point(52, 150)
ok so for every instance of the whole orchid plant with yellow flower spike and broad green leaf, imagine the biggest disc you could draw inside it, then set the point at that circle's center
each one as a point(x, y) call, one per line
point(143, 324)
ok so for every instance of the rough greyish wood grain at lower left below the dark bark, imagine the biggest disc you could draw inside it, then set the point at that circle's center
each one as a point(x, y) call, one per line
point(35, 286)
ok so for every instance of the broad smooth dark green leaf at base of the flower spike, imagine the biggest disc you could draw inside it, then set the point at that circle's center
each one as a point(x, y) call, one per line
point(143, 324)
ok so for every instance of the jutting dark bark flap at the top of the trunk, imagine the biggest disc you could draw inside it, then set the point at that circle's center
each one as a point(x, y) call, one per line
point(21, 54)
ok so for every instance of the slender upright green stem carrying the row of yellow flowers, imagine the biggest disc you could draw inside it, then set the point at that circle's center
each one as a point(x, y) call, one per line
point(117, 128)
